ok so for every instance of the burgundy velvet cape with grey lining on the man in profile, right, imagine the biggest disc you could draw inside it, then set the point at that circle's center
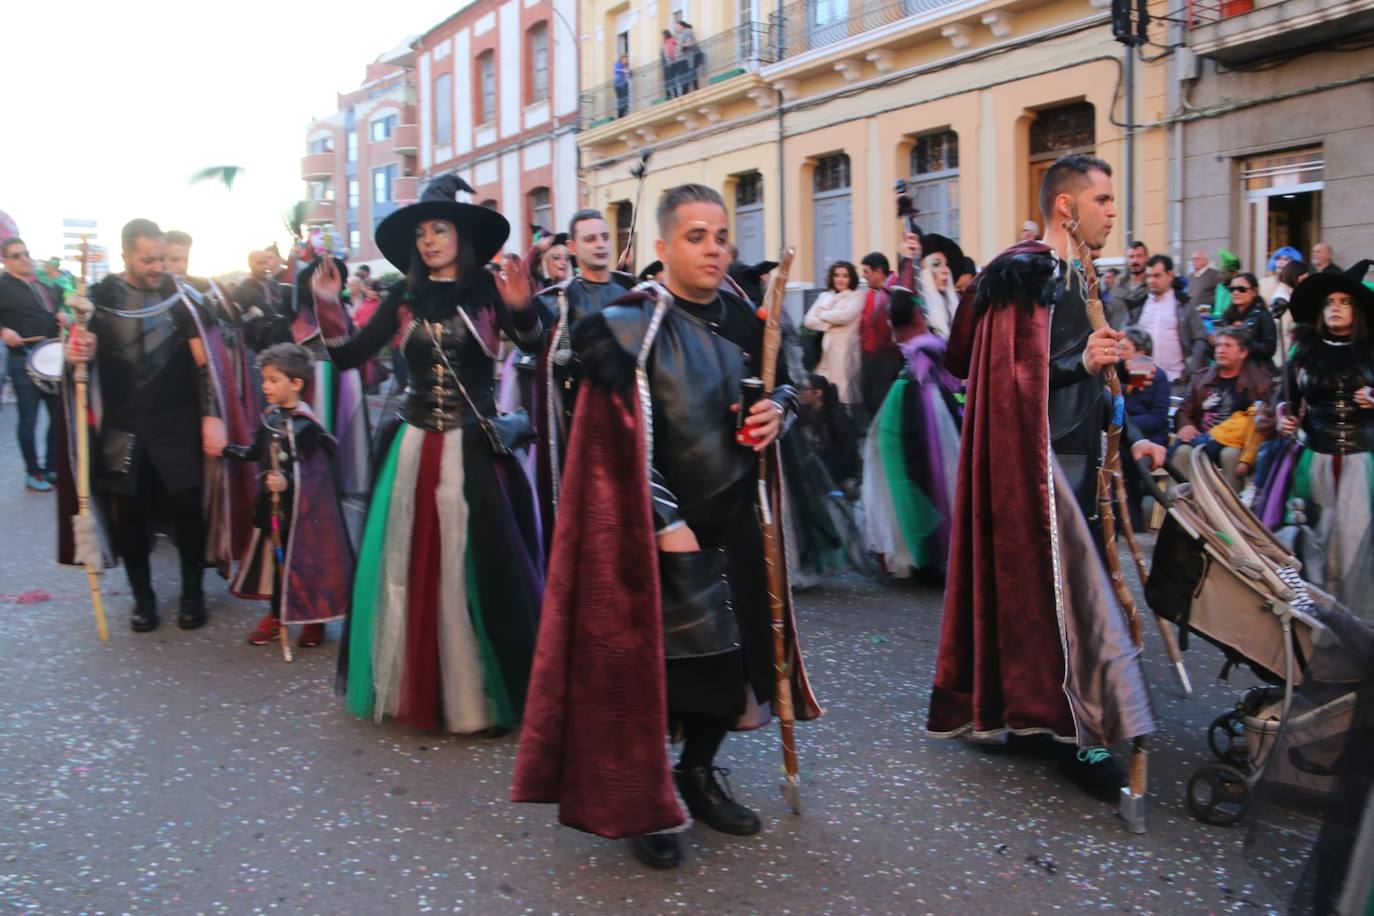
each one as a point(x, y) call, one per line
point(1033, 639)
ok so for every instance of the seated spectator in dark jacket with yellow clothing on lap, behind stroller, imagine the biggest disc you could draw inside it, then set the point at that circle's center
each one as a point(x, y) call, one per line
point(1207, 418)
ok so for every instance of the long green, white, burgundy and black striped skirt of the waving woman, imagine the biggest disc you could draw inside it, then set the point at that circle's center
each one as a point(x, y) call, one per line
point(449, 586)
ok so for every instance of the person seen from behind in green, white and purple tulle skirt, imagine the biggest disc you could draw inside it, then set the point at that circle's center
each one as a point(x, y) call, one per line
point(912, 451)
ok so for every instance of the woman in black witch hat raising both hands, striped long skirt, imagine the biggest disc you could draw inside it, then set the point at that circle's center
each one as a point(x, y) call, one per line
point(446, 597)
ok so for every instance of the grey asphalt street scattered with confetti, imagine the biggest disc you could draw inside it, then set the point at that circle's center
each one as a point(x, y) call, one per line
point(193, 774)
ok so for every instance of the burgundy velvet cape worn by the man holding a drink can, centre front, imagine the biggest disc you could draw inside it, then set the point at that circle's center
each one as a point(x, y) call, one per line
point(596, 730)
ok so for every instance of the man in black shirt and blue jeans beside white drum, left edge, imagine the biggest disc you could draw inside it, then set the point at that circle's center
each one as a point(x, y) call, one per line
point(30, 317)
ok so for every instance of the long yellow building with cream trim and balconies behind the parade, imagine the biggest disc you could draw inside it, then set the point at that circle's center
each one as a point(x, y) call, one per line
point(804, 116)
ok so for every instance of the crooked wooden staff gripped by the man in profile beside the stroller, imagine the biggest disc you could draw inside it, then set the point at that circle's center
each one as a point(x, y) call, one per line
point(1133, 797)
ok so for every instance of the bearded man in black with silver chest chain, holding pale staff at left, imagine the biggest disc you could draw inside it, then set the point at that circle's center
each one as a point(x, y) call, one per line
point(161, 407)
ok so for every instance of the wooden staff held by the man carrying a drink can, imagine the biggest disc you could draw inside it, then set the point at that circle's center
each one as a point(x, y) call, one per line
point(774, 558)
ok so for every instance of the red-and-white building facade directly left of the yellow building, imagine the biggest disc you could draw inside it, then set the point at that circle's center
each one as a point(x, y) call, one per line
point(498, 105)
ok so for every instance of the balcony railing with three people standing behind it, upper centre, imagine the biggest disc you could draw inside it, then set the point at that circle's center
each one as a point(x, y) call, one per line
point(718, 58)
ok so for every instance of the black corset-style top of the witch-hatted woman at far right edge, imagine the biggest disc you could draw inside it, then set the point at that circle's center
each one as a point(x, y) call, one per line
point(1335, 424)
